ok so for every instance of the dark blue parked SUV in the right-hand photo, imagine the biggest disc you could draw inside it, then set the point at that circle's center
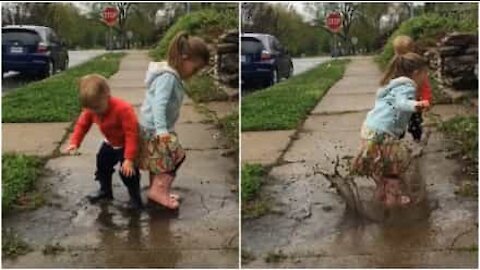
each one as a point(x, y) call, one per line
point(264, 60)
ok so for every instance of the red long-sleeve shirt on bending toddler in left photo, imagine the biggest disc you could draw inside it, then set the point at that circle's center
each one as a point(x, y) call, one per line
point(119, 125)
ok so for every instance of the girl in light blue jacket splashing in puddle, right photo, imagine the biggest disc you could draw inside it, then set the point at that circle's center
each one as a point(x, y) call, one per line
point(383, 156)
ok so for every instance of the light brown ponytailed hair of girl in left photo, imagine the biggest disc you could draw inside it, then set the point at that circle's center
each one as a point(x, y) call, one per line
point(184, 47)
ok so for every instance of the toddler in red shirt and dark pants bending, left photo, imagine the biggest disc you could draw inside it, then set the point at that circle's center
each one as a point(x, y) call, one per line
point(117, 121)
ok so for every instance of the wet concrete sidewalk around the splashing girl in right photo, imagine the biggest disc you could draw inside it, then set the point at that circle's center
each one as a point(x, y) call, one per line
point(308, 224)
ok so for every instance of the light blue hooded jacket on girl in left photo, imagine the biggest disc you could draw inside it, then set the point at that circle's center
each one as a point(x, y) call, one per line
point(161, 108)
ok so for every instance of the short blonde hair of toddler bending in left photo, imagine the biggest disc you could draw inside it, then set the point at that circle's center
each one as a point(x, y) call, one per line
point(92, 87)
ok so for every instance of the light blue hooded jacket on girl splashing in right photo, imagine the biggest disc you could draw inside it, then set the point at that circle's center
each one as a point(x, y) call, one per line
point(394, 106)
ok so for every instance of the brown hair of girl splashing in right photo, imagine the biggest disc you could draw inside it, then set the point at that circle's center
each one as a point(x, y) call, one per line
point(403, 65)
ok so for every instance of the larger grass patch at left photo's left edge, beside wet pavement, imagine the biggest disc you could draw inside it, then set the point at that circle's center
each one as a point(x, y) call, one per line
point(19, 173)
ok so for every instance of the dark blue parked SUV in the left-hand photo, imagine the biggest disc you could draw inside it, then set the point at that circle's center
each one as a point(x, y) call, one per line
point(32, 49)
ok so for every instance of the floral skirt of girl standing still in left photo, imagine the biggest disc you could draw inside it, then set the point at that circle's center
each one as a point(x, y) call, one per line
point(157, 156)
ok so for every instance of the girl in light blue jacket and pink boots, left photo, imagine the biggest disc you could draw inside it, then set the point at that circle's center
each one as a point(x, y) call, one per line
point(160, 151)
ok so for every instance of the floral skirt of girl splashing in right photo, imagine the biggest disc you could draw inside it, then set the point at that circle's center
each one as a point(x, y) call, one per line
point(381, 155)
